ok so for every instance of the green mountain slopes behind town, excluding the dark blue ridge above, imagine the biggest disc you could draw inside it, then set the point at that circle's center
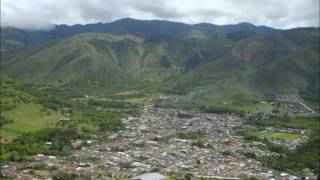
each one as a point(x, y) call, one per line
point(246, 68)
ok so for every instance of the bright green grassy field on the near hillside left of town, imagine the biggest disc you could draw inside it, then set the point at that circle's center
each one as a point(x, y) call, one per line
point(28, 118)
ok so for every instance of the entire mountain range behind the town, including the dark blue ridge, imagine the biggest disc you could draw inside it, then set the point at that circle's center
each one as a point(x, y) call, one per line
point(240, 62)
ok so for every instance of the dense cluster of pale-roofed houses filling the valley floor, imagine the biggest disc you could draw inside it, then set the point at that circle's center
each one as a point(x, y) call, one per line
point(162, 142)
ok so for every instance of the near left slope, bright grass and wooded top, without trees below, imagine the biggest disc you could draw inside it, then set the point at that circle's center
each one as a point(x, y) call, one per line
point(21, 111)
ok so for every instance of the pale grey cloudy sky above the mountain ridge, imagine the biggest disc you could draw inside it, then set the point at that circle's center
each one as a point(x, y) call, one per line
point(41, 14)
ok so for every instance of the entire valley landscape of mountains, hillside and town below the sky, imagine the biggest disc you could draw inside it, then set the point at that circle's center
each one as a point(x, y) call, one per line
point(137, 98)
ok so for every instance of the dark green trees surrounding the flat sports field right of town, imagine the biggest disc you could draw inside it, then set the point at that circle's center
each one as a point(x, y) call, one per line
point(305, 156)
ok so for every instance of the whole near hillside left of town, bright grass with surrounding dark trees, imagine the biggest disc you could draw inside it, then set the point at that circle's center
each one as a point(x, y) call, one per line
point(30, 118)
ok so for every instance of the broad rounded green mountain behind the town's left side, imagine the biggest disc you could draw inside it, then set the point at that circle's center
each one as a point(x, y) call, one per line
point(88, 61)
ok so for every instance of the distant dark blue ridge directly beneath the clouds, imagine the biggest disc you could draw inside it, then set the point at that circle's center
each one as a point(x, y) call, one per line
point(15, 38)
